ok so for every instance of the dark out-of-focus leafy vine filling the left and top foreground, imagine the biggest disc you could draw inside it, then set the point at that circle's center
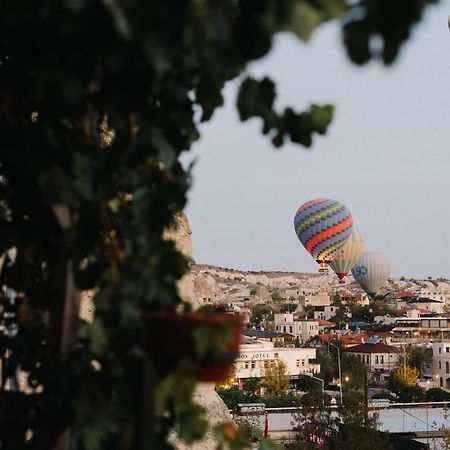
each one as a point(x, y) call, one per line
point(98, 100)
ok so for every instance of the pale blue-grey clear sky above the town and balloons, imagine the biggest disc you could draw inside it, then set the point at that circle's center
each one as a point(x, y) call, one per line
point(386, 157)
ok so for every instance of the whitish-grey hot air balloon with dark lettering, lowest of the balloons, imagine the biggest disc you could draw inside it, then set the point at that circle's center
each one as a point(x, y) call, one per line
point(371, 271)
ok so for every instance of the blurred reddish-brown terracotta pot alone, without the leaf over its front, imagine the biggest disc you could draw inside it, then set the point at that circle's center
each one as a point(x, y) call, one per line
point(170, 339)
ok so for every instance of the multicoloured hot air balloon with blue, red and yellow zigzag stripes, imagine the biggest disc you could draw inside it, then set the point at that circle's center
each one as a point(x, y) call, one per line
point(322, 226)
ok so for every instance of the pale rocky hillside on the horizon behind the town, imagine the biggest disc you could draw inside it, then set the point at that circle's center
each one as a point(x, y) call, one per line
point(217, 284)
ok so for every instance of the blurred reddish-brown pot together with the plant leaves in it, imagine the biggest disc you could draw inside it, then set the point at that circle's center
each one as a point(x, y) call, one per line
point(204, 343)
